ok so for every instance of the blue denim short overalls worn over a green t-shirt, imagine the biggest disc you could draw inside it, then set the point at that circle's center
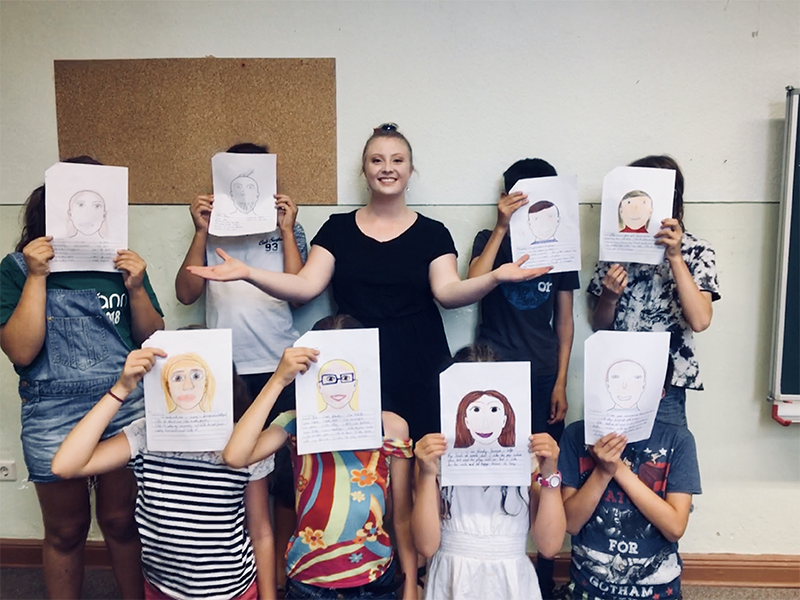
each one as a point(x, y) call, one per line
point(81, 358)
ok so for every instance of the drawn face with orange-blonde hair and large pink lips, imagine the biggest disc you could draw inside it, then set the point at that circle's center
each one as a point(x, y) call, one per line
point(188, 383)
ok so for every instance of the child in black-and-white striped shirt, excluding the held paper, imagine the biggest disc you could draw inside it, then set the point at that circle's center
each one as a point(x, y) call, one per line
point(196, 515)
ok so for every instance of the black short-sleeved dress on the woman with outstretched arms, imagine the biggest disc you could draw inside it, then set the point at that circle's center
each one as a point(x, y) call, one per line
point(386, 285)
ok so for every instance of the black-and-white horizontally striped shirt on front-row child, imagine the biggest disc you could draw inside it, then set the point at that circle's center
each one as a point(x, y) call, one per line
point(191, 518)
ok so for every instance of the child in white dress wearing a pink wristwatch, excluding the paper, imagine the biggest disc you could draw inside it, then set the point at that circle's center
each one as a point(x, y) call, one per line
point(477, 535)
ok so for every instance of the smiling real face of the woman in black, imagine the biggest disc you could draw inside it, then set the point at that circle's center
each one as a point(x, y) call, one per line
point(387, 166)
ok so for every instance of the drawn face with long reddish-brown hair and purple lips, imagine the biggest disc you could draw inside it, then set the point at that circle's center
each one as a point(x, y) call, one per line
point(485, 418)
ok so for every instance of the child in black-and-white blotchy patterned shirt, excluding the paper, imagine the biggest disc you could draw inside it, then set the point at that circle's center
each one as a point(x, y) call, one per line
point(673, 296)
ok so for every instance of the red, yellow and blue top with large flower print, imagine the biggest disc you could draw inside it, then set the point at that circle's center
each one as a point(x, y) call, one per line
point(340, 497)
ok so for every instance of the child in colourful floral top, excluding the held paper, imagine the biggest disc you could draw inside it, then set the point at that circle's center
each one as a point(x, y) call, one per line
point(340, 548)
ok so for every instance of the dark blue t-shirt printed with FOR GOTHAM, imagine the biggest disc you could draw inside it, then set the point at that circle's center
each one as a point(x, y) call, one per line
point(618, 552)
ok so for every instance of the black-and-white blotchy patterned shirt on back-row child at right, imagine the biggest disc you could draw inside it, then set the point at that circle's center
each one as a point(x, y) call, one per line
point(650, 302)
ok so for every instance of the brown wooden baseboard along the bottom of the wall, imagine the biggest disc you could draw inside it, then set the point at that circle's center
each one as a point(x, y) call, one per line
point(727, 570)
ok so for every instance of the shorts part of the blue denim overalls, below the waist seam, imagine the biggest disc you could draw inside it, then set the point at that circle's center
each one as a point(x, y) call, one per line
point(50, 410)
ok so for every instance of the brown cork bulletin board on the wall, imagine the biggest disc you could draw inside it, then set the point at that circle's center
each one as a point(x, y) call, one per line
point(166, 118)
